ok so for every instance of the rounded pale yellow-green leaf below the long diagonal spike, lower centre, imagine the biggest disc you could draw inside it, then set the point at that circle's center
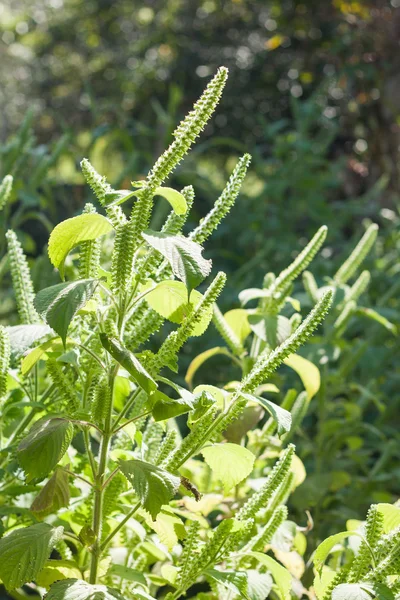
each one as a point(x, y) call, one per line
point(230, 463)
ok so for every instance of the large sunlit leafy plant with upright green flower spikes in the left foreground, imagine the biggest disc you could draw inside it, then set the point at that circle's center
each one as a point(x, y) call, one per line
point(117, 481)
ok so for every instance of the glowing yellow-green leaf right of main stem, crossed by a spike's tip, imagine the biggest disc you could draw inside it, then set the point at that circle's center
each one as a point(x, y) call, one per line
point(170, 300)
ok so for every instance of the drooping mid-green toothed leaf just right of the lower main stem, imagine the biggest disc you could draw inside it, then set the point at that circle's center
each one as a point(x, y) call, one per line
point(153, 485)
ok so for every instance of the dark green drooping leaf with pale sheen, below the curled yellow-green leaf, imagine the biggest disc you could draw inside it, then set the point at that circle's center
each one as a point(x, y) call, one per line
point(59, 303)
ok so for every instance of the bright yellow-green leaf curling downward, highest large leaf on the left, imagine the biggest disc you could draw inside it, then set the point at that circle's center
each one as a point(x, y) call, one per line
point(71, 233)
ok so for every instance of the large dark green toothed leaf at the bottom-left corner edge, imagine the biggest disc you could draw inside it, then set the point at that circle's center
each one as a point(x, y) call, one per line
point(24, 552)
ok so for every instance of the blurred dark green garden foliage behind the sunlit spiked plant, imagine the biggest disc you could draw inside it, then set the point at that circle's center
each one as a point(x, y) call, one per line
point(313, 95)
